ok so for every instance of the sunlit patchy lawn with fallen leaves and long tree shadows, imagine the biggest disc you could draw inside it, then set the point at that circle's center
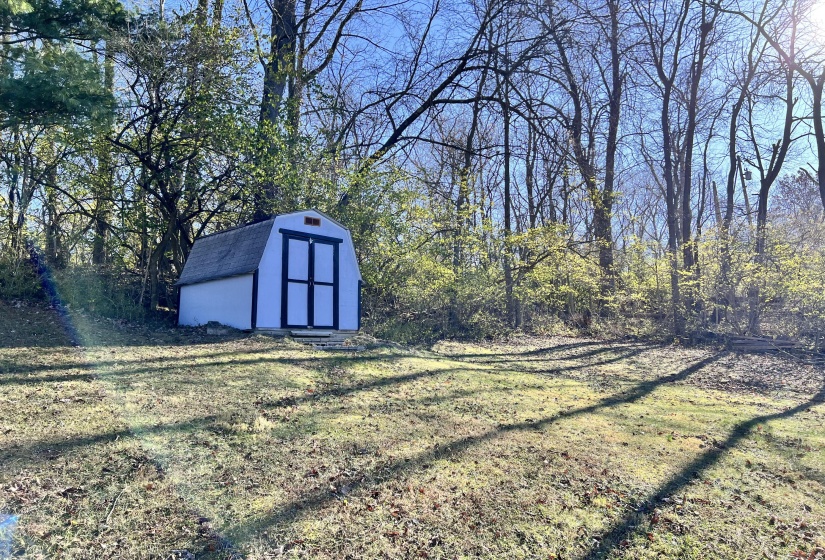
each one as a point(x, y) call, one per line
point(167, 443)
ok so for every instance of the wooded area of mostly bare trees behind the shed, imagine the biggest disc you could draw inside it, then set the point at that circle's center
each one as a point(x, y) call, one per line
point(651, 166)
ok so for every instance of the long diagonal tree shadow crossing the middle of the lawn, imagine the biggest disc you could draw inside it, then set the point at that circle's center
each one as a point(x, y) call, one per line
point(318, 498)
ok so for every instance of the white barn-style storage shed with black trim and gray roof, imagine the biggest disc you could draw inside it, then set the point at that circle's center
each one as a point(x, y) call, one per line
point(292, 271)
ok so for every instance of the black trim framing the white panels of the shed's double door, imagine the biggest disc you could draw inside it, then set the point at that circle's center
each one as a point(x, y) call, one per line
point(310, 282)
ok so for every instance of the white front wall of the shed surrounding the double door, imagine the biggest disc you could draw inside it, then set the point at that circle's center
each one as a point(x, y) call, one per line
point(269, 271)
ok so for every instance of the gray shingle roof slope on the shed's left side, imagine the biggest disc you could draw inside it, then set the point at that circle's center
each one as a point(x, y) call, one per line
point(228, 253)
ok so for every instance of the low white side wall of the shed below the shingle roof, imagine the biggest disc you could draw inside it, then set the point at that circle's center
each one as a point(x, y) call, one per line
point(227, 301)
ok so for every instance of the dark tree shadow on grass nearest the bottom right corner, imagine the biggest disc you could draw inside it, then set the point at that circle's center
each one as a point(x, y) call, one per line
point(628, 525)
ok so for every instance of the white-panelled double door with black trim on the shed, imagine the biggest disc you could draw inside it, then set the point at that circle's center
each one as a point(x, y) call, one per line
point(309, 297)
